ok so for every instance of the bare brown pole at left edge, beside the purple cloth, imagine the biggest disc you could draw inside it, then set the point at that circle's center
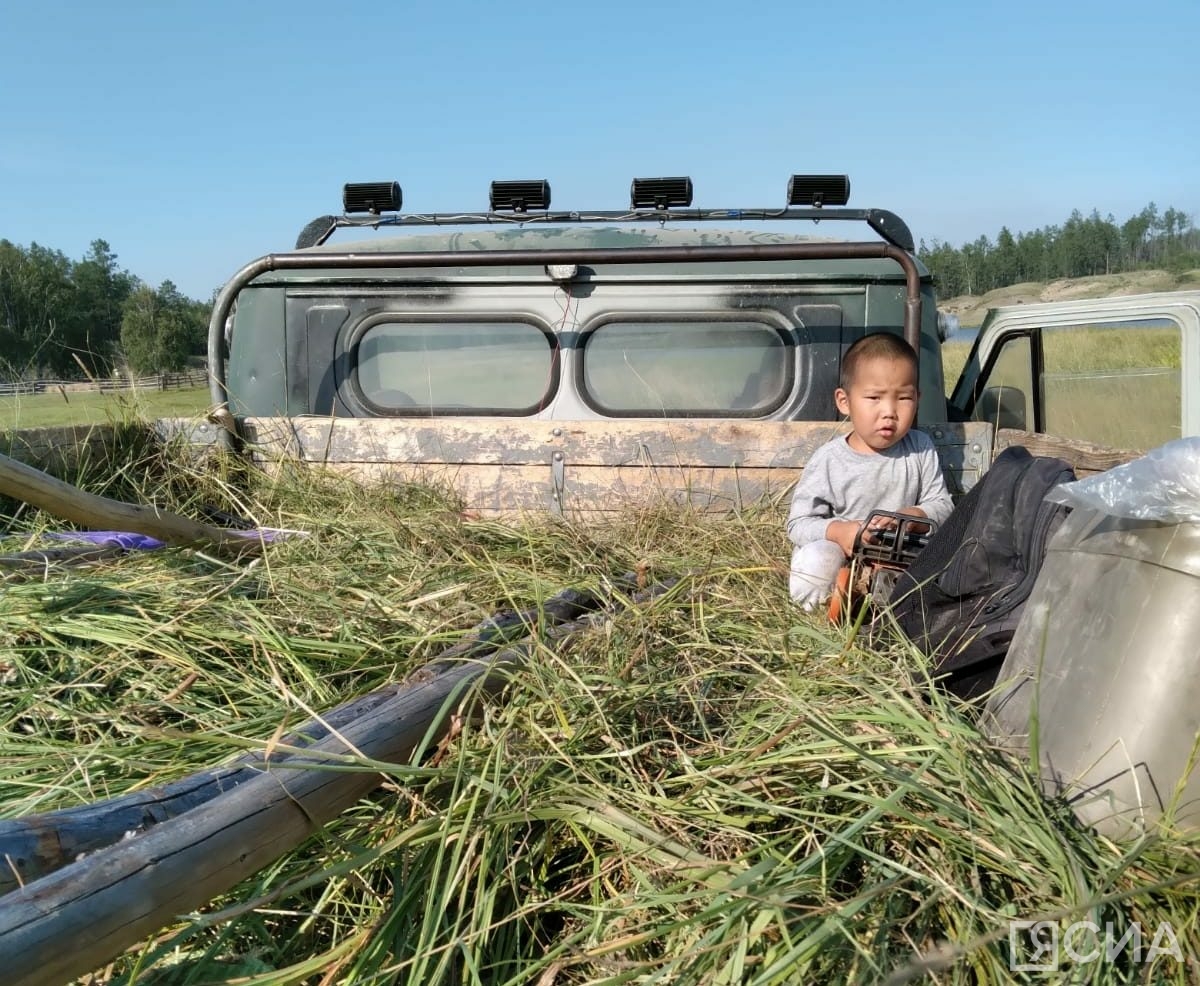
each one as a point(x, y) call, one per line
point(25, 483)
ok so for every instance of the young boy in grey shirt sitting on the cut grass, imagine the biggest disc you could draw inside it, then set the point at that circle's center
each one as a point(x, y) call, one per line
point(881, 465)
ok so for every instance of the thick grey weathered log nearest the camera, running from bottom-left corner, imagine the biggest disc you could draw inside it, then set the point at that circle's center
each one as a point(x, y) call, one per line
point(81, 917)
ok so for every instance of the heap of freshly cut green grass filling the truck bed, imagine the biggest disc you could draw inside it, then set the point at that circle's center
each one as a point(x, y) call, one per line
point(715, 790)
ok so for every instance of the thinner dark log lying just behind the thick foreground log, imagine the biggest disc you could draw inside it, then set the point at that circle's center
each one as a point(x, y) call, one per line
point(34, 846)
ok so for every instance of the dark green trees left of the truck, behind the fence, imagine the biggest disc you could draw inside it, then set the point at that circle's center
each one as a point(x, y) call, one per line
point(89, 318)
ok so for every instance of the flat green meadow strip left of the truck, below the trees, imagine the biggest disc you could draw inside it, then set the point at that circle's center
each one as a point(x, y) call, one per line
point(44, 411)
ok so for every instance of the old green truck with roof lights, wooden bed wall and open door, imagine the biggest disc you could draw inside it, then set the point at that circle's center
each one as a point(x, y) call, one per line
point(569, 360)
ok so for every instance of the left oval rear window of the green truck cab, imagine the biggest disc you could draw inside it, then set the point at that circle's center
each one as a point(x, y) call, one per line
point(455, 368)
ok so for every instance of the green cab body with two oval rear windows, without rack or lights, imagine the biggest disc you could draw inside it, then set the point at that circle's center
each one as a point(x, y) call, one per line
point(580, 341)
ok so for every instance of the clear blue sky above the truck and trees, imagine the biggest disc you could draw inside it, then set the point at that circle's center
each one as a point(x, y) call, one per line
point(196, 137)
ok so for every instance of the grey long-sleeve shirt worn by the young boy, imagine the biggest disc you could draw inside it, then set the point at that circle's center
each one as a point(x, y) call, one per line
point(843, 485)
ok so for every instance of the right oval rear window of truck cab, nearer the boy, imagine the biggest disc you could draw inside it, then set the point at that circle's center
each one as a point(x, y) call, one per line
point(686, 369)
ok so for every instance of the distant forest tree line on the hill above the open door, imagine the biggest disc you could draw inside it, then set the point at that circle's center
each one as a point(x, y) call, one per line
point(1079, 248)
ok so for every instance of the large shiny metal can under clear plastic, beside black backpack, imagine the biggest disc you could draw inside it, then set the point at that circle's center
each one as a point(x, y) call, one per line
point(1101, 688)
